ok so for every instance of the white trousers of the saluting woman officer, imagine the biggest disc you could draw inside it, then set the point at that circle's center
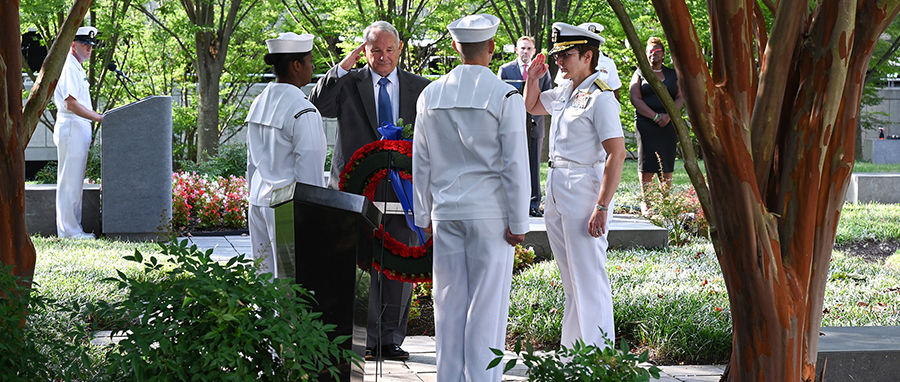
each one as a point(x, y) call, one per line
point(571, 197)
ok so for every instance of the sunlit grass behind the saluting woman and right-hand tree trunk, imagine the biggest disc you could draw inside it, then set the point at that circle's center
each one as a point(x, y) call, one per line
point(674, 302)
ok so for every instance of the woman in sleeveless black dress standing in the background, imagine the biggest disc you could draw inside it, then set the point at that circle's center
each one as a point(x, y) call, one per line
point(654, 130)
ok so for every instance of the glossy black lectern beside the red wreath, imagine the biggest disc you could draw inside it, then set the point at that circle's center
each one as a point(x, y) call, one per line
point(322, 237)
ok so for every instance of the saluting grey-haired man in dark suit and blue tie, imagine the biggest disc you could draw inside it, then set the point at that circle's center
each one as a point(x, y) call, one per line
point(362, 99)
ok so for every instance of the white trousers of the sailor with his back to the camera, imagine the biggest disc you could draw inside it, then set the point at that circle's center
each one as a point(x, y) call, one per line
point(472, 276)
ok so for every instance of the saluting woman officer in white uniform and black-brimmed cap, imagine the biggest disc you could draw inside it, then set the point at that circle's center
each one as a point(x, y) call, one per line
point(587, 150)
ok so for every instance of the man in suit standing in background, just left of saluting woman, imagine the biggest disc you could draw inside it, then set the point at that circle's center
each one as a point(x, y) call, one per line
point(514, 73)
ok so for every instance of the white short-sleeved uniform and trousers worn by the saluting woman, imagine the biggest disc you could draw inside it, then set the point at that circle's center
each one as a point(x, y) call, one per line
point(582, 119)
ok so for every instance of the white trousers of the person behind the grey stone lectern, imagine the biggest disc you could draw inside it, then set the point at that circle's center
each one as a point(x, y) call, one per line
point(73, 139)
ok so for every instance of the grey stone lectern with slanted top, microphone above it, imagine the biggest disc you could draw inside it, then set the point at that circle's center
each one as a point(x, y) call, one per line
point(136, 170)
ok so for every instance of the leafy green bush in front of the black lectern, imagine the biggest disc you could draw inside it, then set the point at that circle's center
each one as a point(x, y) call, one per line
point(220, 321)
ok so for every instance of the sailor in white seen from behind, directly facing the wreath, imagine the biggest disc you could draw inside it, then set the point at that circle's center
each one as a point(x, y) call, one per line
point(470, 174)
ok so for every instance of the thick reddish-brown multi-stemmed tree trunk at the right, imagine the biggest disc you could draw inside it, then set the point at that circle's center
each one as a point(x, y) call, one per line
point(777, 131)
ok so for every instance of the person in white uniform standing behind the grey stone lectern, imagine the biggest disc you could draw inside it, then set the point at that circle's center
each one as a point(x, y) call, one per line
point(72, 134)
